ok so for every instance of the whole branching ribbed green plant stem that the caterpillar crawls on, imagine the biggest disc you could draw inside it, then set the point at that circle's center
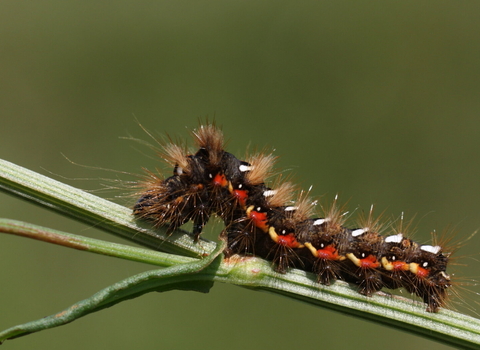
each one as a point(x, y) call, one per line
point(403, 314)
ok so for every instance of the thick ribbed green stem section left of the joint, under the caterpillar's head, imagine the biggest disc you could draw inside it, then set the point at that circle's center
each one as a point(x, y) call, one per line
point(94, 210)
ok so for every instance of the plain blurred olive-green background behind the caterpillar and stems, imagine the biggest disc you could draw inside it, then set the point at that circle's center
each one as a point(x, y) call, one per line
point(376, 101)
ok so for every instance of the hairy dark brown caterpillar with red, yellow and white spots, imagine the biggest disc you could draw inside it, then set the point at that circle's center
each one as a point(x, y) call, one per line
point(267, 222)
